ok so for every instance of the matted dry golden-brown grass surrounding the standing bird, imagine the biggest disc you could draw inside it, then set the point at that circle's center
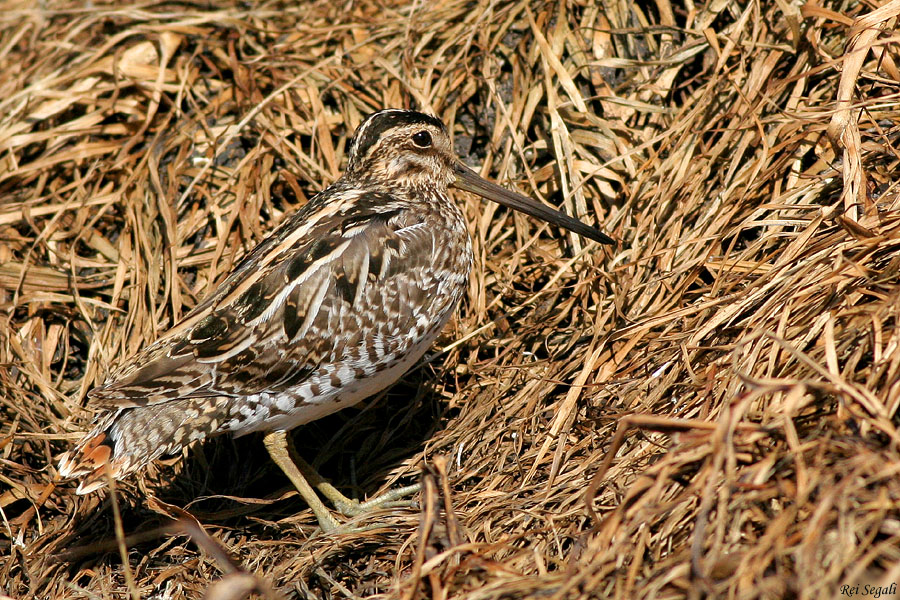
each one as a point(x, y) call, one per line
point(710, 408)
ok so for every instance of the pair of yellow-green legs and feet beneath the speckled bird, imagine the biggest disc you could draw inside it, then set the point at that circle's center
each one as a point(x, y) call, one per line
point(302, 474)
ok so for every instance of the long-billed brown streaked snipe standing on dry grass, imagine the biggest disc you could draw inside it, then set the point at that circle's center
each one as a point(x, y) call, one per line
point(333, 306)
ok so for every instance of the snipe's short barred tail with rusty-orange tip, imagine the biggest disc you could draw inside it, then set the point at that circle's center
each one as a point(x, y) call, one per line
point(125, 440)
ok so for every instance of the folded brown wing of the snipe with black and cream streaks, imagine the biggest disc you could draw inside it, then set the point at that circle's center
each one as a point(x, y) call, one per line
point(308, 295)
